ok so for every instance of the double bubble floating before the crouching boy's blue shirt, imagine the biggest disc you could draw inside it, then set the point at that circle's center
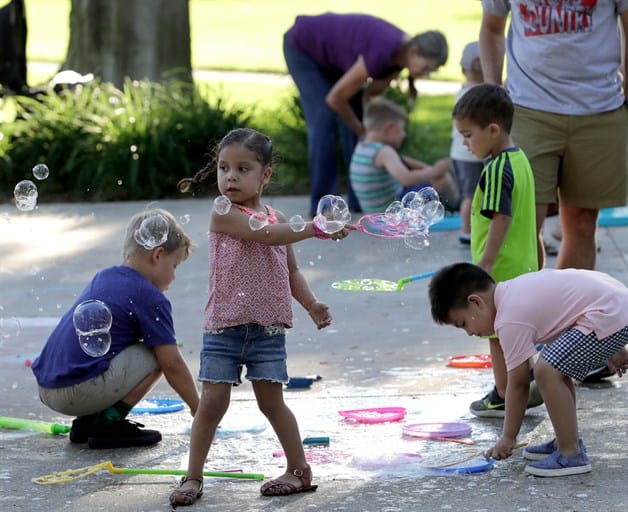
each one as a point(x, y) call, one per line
point(92, 322)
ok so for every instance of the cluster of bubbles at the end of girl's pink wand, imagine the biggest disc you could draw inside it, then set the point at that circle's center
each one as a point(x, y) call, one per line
point(415, 212)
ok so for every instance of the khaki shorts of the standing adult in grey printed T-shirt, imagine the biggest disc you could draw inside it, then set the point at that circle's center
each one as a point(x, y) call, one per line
point(581, 160)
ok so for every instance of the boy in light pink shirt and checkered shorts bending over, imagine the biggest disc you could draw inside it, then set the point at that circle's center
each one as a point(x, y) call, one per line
point(582, 318)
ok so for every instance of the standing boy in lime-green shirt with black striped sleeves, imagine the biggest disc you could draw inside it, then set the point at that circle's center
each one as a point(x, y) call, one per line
point(503, 218)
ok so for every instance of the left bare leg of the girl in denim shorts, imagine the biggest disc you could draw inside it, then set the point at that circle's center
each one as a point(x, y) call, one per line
point(213, 404)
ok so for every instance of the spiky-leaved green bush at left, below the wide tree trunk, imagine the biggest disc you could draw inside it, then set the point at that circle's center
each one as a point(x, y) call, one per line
point(102, 143)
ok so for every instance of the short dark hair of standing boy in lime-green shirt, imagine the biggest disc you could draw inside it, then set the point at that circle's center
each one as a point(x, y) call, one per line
point(484, 104)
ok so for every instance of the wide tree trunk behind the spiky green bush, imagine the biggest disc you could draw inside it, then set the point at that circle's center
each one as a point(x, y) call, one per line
point(138, 39)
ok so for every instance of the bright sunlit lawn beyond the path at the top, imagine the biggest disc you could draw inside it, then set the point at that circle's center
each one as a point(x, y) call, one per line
point(247, 35)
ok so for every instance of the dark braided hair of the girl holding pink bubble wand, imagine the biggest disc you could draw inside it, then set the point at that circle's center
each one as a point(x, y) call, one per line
point(258, 143)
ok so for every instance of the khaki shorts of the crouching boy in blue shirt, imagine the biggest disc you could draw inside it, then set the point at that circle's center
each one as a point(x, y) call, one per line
point(125, 372)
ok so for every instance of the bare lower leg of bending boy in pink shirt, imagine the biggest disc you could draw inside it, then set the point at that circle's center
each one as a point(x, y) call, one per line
point(560, 399)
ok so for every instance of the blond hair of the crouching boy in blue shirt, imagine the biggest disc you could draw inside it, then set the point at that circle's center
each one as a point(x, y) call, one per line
point(176, 238)
